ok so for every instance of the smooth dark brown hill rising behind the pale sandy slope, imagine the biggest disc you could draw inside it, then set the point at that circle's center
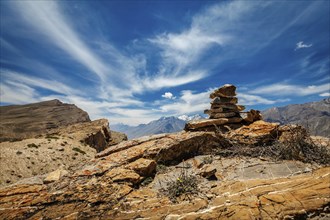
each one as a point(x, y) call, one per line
point(27, 121)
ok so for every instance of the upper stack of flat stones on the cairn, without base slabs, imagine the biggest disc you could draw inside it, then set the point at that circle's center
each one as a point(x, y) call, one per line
point(224, 103)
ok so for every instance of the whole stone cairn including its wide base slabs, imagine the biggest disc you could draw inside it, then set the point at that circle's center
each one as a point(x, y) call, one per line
point(224, 113)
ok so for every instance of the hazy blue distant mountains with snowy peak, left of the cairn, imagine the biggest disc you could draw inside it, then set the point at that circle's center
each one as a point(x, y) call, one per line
point(162, 125)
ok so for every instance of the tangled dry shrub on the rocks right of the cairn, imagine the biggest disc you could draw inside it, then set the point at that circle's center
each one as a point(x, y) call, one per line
point(292, 143)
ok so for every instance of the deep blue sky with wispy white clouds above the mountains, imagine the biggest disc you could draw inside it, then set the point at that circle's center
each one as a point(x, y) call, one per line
point(135, 61)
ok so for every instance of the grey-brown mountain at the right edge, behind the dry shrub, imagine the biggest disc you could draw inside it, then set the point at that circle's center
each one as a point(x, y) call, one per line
point(315, 116)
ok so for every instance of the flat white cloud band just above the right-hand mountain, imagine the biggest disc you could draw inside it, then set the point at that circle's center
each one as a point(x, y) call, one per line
point(280, 89)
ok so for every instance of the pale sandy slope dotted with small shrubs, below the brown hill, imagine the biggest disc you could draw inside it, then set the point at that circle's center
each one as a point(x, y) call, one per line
point(70, 146)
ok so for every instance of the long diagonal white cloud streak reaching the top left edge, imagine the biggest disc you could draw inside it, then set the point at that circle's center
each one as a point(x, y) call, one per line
point(48, 19)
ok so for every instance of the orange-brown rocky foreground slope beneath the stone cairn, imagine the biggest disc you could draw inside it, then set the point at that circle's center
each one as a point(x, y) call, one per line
point(249, 173)
